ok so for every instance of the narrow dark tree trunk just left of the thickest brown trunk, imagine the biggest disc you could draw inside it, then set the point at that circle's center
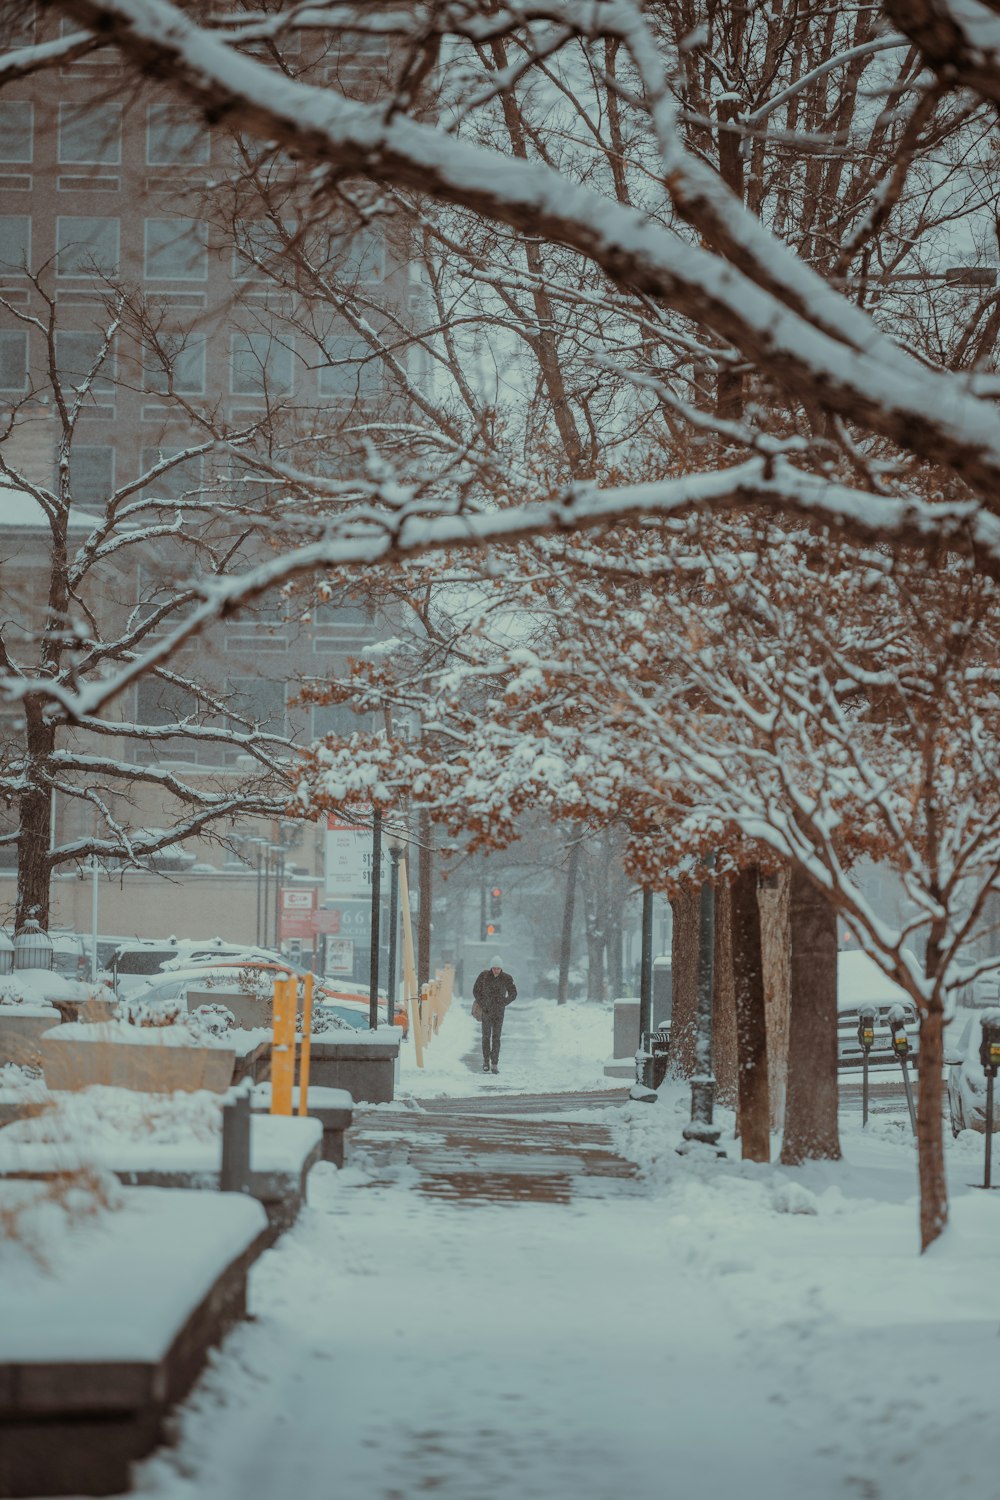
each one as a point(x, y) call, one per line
point(752, 1033)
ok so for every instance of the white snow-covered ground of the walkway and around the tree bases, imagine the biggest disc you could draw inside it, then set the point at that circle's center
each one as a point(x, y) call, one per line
point(729, 1331)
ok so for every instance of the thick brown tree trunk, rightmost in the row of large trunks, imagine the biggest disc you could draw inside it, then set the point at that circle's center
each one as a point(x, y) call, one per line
point(810, 1127)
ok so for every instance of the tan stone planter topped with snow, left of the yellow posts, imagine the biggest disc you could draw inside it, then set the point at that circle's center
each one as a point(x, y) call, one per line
point(73, 1060)
